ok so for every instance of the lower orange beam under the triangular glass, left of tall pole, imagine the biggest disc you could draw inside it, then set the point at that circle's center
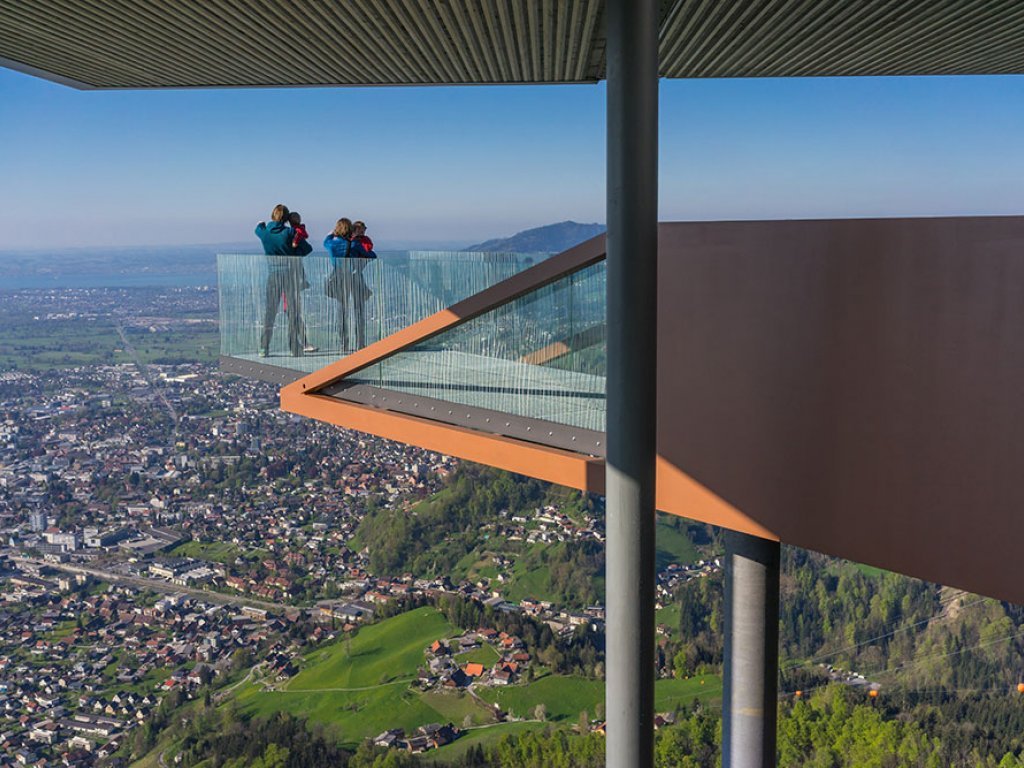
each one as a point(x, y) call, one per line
point(553, 465)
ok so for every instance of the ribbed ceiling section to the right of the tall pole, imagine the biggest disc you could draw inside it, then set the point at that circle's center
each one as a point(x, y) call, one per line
point(809, 38)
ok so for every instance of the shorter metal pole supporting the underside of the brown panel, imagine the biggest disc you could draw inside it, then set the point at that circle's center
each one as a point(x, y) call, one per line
point(751, 696)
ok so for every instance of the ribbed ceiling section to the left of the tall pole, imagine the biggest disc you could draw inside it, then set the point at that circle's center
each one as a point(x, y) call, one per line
point(210, 44)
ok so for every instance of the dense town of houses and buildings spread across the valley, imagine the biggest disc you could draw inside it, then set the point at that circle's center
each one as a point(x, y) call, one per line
point(166, 526)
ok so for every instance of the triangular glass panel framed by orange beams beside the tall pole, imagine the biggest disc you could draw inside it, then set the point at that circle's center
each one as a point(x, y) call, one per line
point(542, 356)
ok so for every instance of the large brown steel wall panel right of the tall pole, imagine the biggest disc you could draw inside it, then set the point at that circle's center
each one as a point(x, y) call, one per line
point(855, 388)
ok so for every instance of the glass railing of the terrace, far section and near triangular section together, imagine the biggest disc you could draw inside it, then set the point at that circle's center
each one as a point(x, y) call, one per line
point(539, 359)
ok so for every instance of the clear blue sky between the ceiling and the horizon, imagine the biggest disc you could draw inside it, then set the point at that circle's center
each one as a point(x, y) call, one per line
point(431, 165)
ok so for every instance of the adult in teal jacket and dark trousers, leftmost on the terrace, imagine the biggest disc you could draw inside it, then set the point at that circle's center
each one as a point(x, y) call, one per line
point(284, 280)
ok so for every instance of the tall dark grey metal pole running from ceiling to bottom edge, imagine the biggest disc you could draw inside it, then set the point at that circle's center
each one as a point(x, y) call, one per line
point(632, 270)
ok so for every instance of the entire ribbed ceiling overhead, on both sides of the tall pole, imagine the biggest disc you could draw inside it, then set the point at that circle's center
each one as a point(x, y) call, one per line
point(198, 44)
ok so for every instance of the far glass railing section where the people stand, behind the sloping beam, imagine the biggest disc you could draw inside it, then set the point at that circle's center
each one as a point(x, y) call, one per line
point(294, 315)
